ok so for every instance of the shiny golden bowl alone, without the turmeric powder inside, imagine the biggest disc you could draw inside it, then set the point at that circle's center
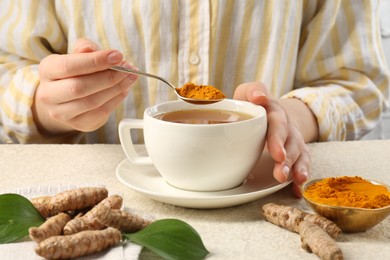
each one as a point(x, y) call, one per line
point(349, 219)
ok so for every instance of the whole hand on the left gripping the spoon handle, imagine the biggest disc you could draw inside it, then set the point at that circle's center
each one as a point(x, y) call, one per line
point(77, 91)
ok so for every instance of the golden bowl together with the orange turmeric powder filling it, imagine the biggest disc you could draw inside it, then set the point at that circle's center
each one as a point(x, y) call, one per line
point(353, 203)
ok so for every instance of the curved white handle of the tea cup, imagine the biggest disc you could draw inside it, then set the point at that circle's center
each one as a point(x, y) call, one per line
point(125, 125)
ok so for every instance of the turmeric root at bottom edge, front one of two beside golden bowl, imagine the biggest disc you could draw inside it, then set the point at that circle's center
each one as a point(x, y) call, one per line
point(315, 239)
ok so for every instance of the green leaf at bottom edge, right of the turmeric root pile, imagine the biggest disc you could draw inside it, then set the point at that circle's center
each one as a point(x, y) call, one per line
point(171, 239)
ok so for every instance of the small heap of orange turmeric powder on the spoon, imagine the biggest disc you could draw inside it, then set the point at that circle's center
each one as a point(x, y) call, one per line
point(201, 92)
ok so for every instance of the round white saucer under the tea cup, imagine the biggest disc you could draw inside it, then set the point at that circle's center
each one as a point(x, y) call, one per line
point(147, 180)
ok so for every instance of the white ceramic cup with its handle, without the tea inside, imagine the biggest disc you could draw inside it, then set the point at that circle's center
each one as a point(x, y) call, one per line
point(199, 157)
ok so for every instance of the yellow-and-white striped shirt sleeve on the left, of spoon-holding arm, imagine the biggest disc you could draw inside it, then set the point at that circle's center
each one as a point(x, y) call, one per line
point(28, 33)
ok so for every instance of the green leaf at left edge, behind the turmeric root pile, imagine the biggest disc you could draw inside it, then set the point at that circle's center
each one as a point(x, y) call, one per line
point(17, 215)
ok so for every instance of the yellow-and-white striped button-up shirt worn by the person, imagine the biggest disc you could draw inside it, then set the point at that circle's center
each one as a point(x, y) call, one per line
point(326, 53)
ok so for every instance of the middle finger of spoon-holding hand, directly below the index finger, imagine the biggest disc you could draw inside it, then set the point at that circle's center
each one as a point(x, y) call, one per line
point(87, 85)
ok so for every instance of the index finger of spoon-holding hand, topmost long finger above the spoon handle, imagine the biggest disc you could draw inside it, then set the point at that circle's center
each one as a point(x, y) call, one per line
point(55, 66)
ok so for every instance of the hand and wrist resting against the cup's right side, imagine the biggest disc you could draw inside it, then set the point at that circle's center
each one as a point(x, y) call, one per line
point(290, 125)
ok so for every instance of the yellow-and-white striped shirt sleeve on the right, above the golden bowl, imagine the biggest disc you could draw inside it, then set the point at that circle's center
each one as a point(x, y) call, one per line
point(341, 71)
